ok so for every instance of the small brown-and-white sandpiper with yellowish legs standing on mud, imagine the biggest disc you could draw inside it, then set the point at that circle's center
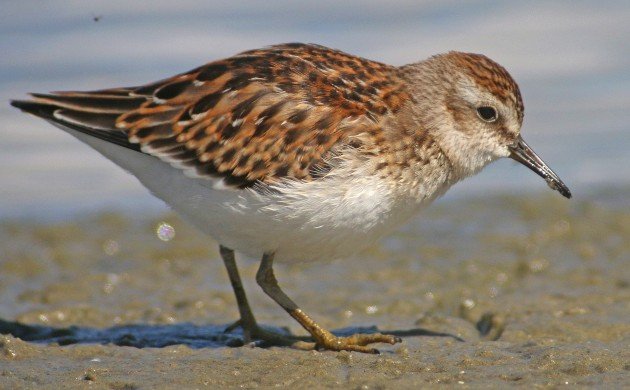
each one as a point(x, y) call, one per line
point(299, 152)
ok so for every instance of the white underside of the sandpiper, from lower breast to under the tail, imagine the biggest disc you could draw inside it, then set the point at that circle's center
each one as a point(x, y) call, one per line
point(303, 221)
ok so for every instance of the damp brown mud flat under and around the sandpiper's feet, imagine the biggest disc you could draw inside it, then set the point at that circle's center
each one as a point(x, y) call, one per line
point(507, 290)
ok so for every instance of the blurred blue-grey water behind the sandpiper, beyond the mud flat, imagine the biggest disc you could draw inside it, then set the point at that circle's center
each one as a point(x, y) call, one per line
point(571, 59)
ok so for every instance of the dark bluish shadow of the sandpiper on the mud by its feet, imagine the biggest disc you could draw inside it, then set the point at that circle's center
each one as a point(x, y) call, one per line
point(158, 336)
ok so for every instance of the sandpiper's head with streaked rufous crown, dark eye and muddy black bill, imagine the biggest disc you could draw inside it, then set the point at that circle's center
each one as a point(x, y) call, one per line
point(474, 110)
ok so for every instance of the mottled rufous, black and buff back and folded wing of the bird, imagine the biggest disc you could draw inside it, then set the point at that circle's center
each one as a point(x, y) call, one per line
point(260, 116)
